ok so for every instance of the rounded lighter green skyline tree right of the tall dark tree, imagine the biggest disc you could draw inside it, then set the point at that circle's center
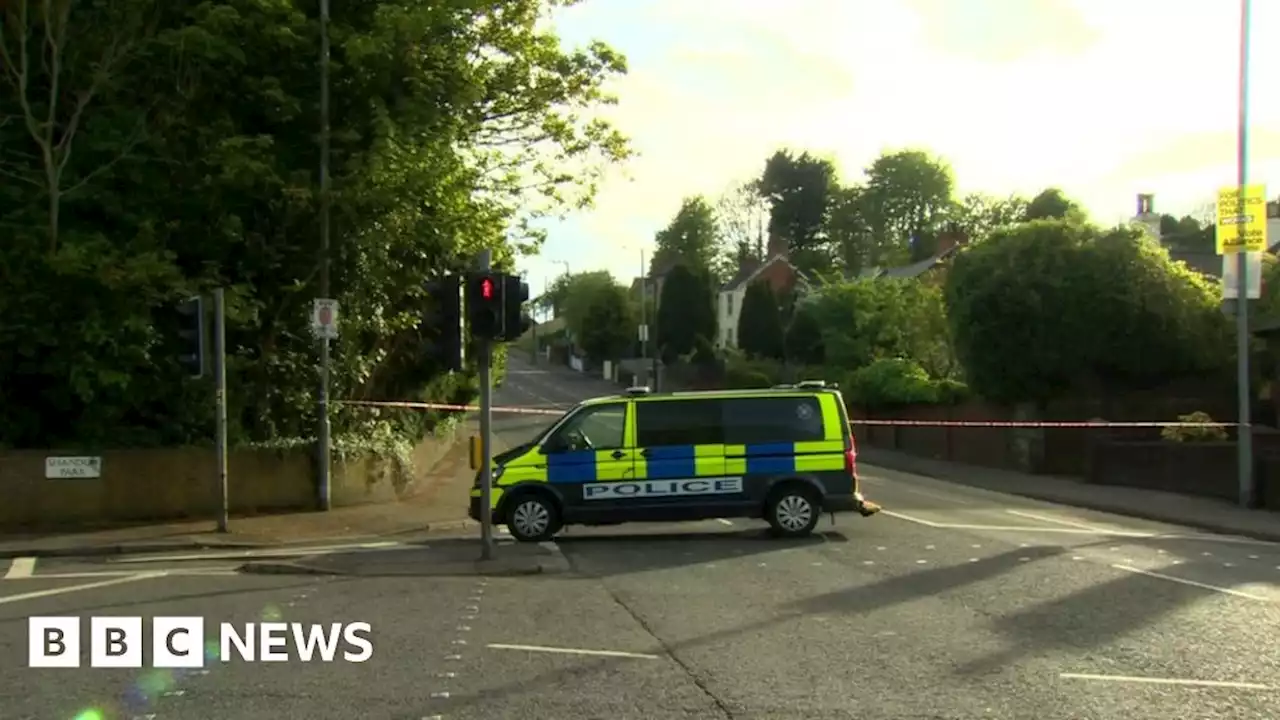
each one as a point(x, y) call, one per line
point(907, 199)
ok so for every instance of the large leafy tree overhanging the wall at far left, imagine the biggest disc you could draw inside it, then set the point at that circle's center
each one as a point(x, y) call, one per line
point(166, 149)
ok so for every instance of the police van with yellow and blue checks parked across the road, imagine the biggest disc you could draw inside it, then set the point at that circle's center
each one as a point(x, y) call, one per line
point(784, 454)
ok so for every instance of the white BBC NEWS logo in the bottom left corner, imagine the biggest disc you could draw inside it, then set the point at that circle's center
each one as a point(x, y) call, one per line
point(180, 642)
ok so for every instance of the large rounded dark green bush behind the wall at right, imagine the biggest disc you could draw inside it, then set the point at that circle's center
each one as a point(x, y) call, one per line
point(1052, 306)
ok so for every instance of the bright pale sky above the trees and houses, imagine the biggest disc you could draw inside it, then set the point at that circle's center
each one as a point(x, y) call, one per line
point(1104, 99)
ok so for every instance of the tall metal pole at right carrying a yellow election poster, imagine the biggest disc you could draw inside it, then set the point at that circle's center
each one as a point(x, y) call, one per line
point(1245, 443)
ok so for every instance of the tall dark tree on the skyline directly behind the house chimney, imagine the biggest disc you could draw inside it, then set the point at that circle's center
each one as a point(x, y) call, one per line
point(798, 189)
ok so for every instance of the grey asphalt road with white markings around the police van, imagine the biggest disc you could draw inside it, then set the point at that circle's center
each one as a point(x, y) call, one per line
point(954, 604)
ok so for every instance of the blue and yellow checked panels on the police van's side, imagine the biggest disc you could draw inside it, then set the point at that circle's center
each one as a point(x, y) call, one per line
point(683, 461)
